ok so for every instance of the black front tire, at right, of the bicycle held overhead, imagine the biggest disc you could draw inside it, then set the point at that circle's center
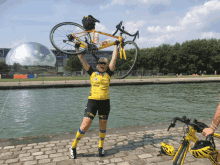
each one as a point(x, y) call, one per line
point(135, 56)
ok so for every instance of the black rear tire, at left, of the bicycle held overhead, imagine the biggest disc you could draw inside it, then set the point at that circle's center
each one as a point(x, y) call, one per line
point(66, 51)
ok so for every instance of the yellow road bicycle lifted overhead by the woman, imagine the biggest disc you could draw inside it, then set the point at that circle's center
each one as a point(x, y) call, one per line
point(73, 33)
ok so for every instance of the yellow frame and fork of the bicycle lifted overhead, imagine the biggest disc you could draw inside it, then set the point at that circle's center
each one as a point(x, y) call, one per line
point(84, 45)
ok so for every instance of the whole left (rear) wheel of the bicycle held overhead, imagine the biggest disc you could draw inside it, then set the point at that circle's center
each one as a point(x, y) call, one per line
point(62, 40)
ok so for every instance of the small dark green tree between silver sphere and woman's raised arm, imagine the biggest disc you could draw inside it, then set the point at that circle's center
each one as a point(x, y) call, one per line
point(73, 64)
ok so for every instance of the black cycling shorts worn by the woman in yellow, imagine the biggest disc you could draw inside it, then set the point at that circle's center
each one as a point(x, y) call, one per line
point(102, 106)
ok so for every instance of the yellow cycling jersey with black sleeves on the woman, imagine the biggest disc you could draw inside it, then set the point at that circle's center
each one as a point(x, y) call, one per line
point(99, 84)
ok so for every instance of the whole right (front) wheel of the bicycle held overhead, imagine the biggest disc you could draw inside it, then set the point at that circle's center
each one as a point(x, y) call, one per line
point(124, 67)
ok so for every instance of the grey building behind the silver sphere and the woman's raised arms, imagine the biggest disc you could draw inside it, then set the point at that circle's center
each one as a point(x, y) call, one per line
point(62, 58)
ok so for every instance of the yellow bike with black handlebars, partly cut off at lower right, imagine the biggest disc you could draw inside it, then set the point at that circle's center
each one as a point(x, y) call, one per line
point(195, 127)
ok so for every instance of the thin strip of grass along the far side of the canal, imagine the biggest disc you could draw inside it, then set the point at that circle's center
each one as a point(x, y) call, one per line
point(87, 78)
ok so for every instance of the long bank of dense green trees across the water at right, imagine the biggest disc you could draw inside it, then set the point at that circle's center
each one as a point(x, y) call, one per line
point(189, 57)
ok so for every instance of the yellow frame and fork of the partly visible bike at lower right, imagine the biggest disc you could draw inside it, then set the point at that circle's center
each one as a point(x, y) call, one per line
point(184, 147)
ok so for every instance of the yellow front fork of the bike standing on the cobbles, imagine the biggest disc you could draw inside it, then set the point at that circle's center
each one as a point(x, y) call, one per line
point(181, 153)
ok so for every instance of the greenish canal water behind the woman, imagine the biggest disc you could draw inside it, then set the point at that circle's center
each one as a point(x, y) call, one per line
point(32, 112)
